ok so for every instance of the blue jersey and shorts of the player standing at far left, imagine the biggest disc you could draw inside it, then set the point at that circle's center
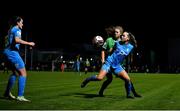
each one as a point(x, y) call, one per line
point(11, 50)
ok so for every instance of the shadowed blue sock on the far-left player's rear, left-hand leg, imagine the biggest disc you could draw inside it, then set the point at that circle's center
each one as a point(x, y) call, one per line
point(11, 82)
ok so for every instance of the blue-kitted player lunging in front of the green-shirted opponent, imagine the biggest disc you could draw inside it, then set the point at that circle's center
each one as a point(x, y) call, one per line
point(120, 51)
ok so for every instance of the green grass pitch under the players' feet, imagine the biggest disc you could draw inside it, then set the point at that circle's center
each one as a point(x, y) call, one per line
point(61, 91)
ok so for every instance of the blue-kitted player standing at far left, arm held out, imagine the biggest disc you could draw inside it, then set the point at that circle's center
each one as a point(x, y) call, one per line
point(11, 53)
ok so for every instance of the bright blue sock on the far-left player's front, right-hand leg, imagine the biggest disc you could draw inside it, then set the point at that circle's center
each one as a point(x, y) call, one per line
point(21, 85)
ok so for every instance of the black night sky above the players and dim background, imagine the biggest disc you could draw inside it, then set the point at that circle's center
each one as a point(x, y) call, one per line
point(62, 25)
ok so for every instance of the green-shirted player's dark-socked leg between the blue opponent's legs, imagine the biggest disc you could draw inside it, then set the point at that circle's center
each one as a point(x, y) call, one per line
point(106, 83)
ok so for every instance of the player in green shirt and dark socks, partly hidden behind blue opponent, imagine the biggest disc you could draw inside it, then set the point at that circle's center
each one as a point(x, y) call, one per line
point(113, 34)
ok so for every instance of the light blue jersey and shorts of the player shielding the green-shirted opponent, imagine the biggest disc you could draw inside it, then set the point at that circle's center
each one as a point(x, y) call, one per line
point(117, 57)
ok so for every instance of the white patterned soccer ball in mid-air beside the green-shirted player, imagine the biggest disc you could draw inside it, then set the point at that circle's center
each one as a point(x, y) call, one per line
point(98, 41)
